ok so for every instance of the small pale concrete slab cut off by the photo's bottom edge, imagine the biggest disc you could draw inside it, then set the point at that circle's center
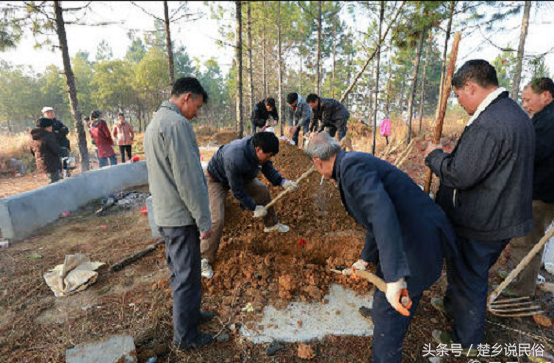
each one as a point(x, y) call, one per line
point(114, 349)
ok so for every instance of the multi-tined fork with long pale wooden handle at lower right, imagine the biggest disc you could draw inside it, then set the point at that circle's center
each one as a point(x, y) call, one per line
point(520, 306)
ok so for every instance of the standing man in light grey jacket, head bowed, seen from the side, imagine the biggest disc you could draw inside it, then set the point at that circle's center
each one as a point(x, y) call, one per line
point(181, 204)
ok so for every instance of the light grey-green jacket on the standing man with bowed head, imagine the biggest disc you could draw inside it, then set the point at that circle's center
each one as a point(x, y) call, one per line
point(177, 184)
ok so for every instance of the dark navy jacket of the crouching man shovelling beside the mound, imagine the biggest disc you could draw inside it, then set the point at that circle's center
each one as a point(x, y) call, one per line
point(235, 164)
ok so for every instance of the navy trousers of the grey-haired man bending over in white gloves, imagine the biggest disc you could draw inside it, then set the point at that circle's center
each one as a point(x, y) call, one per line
point(390, 327)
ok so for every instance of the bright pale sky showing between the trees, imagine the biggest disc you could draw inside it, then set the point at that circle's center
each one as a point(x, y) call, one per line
point(199, 36)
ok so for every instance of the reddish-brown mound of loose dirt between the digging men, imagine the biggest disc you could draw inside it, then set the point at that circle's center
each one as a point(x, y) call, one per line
point(276, 267)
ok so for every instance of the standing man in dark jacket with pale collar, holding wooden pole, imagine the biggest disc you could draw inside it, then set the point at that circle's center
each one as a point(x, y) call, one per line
point(486, 190)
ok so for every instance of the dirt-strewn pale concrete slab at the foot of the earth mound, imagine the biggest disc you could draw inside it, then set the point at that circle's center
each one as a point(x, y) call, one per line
point(339, 317)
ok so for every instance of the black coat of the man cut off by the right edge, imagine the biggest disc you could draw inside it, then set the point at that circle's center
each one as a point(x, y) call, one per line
point(543, 177)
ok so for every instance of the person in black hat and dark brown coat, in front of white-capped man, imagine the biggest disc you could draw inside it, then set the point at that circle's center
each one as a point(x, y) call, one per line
point(45, 148)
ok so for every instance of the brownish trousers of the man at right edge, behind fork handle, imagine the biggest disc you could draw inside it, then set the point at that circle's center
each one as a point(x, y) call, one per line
point(524, 284)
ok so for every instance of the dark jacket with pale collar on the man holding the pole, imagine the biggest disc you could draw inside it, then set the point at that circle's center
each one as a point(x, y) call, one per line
point(487, 180)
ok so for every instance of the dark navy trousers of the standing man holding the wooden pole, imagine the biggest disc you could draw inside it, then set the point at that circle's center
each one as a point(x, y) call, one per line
point(466, 294)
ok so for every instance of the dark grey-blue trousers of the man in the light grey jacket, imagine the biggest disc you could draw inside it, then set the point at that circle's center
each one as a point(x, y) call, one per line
point(182, 252)
